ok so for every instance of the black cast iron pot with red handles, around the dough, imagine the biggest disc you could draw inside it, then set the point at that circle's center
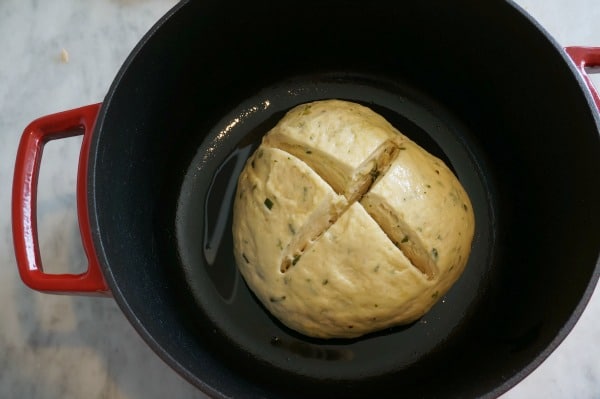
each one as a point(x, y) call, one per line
point(476, 83)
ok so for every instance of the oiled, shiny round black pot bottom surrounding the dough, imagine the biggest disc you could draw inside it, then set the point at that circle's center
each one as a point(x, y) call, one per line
point(204, 242)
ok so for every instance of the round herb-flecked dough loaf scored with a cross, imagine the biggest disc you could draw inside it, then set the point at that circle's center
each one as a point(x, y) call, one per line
point(343, 226)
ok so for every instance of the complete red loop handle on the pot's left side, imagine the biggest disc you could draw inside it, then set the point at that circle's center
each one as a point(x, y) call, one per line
point(24, 203)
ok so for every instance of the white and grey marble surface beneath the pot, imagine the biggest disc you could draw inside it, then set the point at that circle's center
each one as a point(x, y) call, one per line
point(76, 347)
